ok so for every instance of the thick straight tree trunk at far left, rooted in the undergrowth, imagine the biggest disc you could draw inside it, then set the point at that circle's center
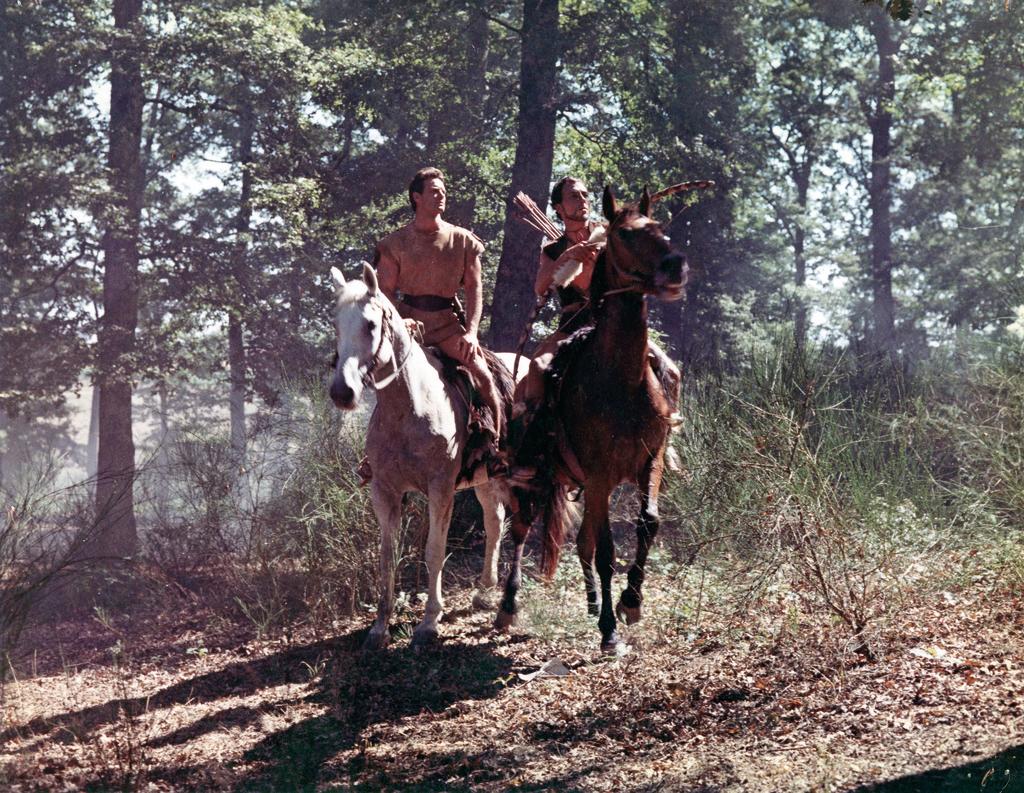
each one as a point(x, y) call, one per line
point(116, 533)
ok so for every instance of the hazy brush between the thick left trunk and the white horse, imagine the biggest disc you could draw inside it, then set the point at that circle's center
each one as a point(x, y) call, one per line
point(294, 534)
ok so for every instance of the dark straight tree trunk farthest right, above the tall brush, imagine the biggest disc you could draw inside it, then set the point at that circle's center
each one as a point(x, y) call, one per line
point(880, 192)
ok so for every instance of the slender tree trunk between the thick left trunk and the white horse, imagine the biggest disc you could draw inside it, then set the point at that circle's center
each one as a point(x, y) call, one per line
point(236, 337)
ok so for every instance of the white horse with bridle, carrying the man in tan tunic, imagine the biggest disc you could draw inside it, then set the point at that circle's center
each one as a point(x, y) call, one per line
point(414, 442)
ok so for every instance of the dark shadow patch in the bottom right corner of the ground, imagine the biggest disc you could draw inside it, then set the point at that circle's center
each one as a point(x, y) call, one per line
point(1003, 773)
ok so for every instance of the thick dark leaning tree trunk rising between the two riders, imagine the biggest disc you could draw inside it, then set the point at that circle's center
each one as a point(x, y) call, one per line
point(531, 172)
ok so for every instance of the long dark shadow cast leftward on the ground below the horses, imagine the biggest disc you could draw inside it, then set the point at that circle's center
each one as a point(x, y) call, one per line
point(356, 689)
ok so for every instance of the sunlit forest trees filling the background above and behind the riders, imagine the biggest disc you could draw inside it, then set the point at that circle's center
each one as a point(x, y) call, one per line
point(179, 179)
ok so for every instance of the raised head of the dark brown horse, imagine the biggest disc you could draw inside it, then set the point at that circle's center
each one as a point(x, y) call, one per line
point(639, 254)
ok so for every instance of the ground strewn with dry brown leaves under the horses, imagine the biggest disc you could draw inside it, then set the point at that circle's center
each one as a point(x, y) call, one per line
point(180, 696)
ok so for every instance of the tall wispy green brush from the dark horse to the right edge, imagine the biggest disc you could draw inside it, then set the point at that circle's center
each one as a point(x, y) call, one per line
point(803, 470)
